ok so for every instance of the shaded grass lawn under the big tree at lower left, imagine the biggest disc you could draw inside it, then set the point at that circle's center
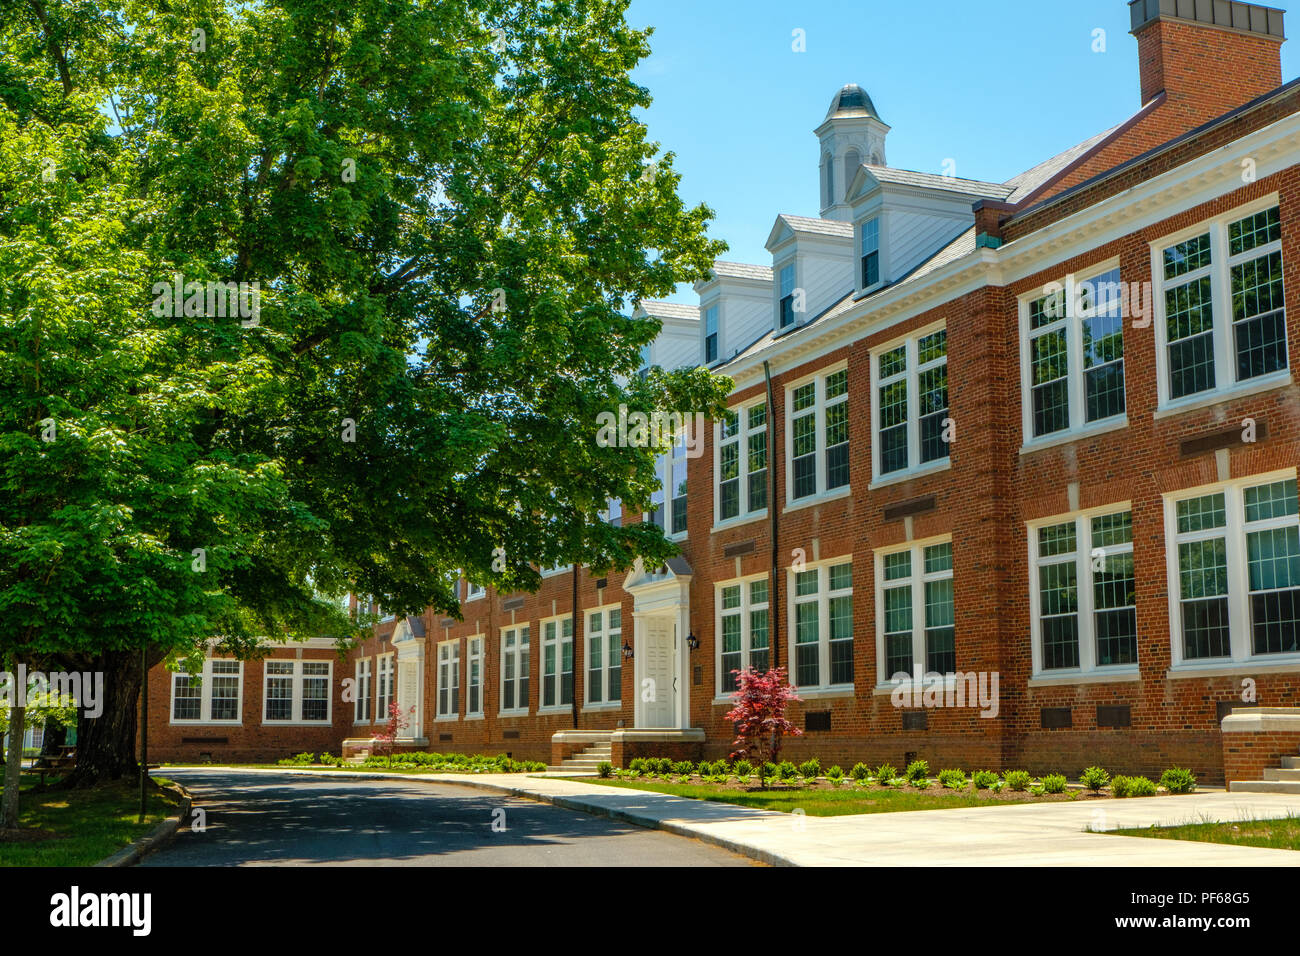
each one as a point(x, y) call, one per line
point(80, 828)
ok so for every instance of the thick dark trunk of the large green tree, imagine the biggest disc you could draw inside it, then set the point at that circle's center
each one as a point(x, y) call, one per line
point(106, 746)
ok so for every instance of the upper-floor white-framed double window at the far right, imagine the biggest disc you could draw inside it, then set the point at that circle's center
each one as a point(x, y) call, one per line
point(1221, 318)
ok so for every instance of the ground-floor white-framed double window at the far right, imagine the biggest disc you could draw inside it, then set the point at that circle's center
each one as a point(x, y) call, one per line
point(1234, 572)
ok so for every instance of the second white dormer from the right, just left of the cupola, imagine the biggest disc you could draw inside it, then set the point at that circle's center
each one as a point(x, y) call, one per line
point(813, 263)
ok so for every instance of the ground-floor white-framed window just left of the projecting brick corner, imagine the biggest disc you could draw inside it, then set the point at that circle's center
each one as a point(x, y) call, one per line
point(916, 616)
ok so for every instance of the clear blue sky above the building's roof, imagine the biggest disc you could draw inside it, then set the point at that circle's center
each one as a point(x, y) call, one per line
point(996, 86)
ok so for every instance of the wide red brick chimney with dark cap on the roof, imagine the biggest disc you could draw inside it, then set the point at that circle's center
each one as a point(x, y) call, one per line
point(1207, 57)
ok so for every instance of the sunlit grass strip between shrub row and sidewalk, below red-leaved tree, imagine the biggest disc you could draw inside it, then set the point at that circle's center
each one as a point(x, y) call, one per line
point(831, 803)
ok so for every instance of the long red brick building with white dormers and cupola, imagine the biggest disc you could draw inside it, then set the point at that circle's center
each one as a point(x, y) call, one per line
point(1037, 439)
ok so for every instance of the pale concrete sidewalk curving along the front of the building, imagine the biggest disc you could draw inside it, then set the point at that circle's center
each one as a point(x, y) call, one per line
point(1051, 834)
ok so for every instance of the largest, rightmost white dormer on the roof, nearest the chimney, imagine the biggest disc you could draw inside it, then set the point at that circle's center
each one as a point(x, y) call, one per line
point(902, 219)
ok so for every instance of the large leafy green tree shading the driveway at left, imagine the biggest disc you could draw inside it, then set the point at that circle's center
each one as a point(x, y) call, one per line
point(447, 211)
